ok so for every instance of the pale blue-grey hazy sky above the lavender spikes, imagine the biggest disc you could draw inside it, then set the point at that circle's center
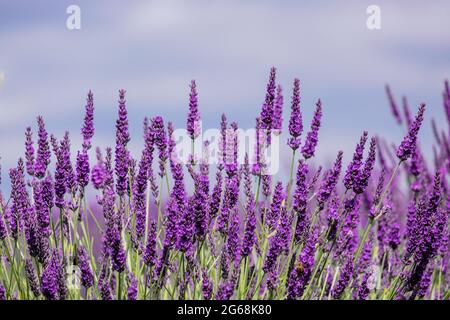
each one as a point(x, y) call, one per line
point(154, 48)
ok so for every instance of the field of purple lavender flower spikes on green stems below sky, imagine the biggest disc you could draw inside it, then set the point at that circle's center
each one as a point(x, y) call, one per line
point(102, 223)
